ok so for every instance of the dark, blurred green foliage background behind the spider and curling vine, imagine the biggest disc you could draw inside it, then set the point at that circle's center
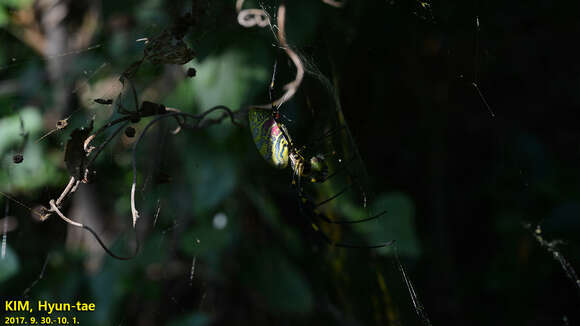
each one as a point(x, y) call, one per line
point(458, 182)
